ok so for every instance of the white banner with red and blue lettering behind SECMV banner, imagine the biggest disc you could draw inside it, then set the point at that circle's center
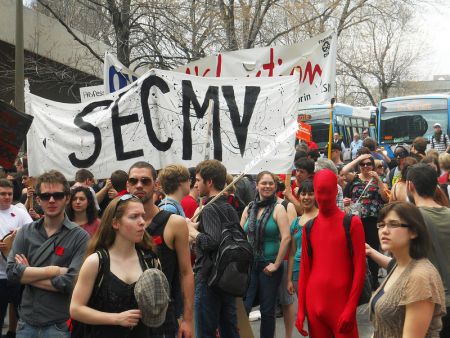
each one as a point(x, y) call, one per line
point(313, 61)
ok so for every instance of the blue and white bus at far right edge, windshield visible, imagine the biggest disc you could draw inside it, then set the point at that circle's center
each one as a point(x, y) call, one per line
point(402, 119)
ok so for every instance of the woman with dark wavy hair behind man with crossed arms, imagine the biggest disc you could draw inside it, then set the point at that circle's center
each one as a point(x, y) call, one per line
point(81, 210)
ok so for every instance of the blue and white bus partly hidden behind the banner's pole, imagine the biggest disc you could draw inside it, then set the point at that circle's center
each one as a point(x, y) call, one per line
point(347, 120)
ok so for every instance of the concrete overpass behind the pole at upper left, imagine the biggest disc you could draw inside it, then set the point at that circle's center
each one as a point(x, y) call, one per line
point(55, 64)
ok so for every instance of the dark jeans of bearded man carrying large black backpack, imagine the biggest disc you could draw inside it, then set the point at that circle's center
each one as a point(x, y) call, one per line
point(214, 309)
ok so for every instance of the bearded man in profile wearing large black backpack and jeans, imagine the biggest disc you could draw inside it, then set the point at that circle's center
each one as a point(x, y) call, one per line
point(214, 309)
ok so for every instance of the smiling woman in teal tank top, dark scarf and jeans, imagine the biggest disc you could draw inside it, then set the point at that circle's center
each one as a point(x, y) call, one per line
point(266, 224)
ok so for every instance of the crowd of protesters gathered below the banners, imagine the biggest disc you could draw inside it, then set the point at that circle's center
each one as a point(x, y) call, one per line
point(132, 255)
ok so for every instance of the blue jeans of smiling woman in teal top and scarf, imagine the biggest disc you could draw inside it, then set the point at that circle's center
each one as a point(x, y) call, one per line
point(266, 288)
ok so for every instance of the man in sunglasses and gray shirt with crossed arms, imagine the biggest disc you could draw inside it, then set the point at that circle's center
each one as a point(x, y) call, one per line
point(46, 257)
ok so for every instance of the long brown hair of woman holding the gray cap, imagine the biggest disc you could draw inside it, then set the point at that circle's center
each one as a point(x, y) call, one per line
point(105, 235)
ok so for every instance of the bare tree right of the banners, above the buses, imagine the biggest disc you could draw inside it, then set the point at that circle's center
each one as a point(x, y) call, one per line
point(379, 54)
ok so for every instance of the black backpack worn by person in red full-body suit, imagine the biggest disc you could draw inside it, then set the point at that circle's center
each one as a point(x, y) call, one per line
point(366, 292)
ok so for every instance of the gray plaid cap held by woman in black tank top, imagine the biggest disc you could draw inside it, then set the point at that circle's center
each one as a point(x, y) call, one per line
point(152, 294)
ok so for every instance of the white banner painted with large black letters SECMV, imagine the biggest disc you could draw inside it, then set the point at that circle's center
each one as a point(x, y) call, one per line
point(161, 119)
